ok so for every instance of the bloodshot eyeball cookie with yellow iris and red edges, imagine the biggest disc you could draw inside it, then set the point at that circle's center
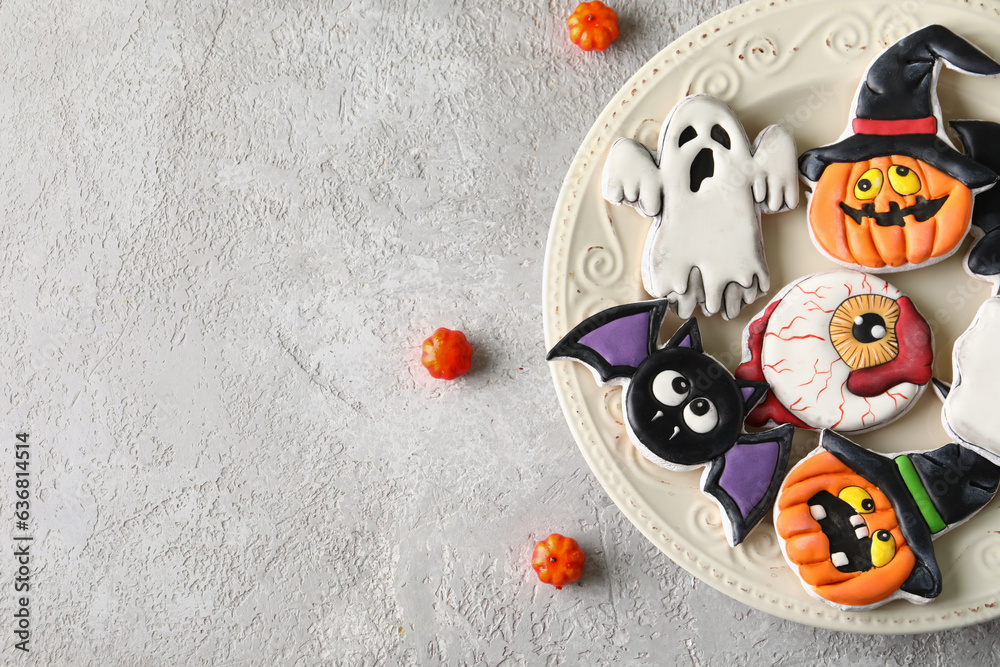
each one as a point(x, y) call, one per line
point(841, 350)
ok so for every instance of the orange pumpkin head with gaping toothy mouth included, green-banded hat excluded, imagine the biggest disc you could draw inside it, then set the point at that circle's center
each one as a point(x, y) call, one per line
point(842, 533)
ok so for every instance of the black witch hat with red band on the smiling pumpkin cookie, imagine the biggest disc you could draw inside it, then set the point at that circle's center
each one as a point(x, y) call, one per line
point(896, 110)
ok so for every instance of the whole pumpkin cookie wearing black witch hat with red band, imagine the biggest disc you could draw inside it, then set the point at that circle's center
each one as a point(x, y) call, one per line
point(893, 192)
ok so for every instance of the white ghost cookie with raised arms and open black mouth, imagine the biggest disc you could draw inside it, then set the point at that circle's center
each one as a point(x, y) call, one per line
point(705, 189)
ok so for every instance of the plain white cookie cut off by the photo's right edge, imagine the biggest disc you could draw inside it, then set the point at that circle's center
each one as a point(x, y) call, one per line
point(970, 413)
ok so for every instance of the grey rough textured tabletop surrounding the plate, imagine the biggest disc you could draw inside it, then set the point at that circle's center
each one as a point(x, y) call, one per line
point(227, 229)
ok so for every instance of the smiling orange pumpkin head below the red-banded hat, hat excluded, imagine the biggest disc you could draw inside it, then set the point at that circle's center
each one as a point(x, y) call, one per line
point(888, 211)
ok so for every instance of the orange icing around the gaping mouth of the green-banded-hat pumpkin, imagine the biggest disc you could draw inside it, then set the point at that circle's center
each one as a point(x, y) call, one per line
point(808, 549)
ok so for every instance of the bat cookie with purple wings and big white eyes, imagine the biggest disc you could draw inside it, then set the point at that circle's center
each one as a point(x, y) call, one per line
point(683, 409)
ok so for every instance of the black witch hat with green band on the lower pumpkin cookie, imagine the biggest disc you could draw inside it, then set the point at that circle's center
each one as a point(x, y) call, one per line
point(930, 492)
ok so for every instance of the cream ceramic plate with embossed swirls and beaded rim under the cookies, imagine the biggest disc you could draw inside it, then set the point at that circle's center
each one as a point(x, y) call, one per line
point(796, 62)
